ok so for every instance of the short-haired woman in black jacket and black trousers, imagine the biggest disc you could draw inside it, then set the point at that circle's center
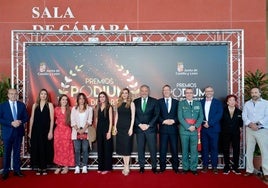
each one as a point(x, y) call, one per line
point(231, 124)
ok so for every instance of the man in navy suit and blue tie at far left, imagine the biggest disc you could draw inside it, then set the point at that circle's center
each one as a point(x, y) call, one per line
point(13, 116)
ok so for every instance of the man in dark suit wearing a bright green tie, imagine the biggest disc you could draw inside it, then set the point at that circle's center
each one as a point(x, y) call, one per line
point(145, 126)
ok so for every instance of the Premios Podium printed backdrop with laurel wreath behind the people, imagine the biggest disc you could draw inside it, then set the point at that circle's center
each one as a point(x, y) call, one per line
point(71, 69)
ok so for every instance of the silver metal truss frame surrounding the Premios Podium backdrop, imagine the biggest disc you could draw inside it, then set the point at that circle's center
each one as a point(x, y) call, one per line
point(233, 37)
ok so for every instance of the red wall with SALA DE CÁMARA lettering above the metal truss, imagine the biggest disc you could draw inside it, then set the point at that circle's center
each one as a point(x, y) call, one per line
point(138, 15)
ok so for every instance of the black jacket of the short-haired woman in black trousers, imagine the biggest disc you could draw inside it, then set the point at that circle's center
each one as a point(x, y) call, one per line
point(231, 125)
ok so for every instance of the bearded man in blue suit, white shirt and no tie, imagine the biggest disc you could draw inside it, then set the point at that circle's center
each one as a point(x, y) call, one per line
point(213, 110)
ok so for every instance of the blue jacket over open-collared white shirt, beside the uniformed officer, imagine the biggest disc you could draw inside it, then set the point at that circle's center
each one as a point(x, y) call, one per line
point(214, 116)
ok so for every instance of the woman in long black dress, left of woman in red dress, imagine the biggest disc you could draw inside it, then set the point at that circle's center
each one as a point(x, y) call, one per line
point(41, 133)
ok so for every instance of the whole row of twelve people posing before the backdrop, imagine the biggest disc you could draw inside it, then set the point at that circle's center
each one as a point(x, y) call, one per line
point(60, 134)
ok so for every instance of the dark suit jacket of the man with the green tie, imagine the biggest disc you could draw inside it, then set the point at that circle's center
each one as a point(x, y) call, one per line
point(150, 116)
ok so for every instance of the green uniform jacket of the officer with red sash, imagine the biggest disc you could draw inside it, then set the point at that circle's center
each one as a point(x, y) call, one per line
point(187, 112)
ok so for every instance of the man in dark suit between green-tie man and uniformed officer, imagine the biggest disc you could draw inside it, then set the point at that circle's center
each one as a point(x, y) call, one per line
point(168, 128)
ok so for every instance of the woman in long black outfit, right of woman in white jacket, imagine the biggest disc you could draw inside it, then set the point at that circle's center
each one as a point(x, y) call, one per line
point(103, 120)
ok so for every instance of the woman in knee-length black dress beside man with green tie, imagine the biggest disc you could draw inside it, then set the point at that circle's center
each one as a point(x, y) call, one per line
point(124, 121)
